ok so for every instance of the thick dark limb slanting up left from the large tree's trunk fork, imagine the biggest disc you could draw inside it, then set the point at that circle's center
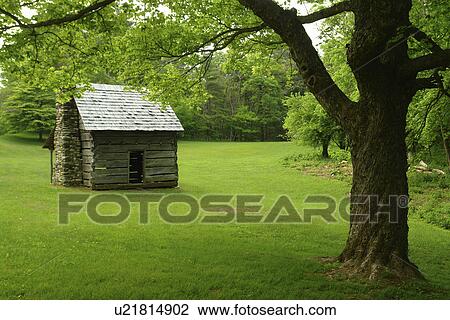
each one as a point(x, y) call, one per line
point(287, 24)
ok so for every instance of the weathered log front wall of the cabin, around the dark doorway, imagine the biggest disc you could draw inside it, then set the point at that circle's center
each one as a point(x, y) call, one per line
point(109, 152)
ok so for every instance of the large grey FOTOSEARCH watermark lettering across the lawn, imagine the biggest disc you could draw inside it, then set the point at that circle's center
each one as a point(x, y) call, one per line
point(180, 208)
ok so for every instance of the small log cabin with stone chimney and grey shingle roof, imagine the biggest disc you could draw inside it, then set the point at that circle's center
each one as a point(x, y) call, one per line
point(110, 138)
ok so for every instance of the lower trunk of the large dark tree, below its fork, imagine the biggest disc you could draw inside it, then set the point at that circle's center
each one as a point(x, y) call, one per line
point(377, 244)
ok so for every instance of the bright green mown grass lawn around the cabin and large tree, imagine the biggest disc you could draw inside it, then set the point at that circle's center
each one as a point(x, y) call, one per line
point(40, 259)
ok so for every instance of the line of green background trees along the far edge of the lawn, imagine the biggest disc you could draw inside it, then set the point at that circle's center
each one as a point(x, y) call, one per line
point(251, 97)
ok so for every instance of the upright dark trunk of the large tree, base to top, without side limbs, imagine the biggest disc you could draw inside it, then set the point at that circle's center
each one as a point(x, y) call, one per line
point(377, 245)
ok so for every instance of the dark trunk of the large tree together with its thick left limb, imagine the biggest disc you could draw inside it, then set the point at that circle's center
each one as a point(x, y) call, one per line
point(378, 55)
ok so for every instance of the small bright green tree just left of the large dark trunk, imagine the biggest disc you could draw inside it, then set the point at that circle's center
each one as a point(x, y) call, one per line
point(308, 122)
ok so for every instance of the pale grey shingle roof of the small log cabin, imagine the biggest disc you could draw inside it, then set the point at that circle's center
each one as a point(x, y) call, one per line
point(110, 107)
